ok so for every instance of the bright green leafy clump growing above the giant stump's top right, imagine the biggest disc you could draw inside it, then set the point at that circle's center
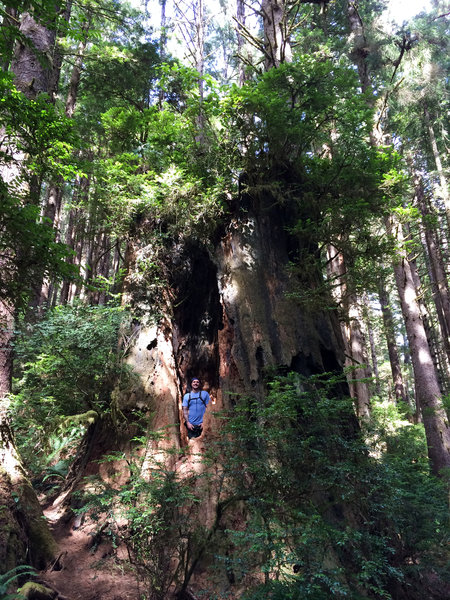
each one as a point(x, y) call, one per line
point(290, 110)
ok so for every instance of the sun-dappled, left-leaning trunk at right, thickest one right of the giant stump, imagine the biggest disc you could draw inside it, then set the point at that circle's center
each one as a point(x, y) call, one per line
point(428, 393)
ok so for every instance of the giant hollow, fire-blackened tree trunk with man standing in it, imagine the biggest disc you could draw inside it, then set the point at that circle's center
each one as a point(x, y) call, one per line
point(230, 319)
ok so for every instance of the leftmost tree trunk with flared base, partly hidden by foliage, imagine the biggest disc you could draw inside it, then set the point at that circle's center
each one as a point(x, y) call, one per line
point(31, 66)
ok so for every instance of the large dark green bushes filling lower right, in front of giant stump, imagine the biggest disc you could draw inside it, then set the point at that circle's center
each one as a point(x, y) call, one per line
point(328, 516)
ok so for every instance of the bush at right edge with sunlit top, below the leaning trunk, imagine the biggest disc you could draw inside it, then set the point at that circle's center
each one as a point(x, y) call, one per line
point(417, 501)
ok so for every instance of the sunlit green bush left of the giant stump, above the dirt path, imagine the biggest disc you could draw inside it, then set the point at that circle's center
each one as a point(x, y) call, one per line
point(68, 366)
